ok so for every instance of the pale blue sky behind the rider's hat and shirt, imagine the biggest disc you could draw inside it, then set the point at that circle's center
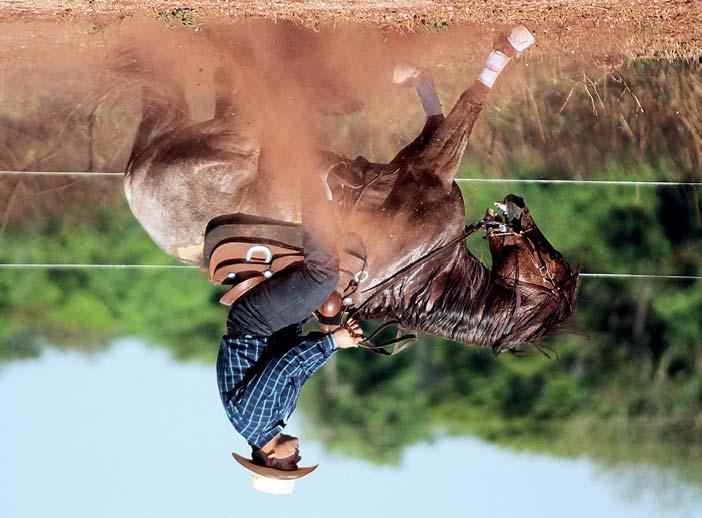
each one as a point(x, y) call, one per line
point(131, 431)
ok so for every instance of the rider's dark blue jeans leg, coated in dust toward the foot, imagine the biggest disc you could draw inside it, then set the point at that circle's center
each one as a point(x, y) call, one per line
point(292, 295)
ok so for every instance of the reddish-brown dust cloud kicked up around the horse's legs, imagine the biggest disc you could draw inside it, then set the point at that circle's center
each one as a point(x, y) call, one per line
point(285, 82)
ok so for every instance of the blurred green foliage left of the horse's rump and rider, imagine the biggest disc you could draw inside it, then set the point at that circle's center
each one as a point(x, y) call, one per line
point(80, 308)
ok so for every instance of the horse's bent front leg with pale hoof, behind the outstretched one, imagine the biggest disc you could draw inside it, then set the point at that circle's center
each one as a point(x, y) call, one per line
point(423, 84)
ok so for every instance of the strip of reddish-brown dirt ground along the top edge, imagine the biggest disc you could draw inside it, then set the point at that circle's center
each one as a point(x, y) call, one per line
point(655, 28)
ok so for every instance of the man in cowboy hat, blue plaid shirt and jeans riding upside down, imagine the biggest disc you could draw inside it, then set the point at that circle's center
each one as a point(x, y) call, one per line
point(263, 360)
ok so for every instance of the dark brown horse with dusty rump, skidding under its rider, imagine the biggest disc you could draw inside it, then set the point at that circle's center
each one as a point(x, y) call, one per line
point(409, 211)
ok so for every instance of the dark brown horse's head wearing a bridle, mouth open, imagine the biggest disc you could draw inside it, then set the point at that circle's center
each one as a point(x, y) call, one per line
point(541, 286)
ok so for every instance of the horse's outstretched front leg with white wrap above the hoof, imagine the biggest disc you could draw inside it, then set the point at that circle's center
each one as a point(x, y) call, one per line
point(442, 154)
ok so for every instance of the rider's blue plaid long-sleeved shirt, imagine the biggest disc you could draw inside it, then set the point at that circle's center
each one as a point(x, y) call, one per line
point(260, 379)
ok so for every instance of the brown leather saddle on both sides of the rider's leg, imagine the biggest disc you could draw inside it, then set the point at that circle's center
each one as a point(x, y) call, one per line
point(242, 251)
